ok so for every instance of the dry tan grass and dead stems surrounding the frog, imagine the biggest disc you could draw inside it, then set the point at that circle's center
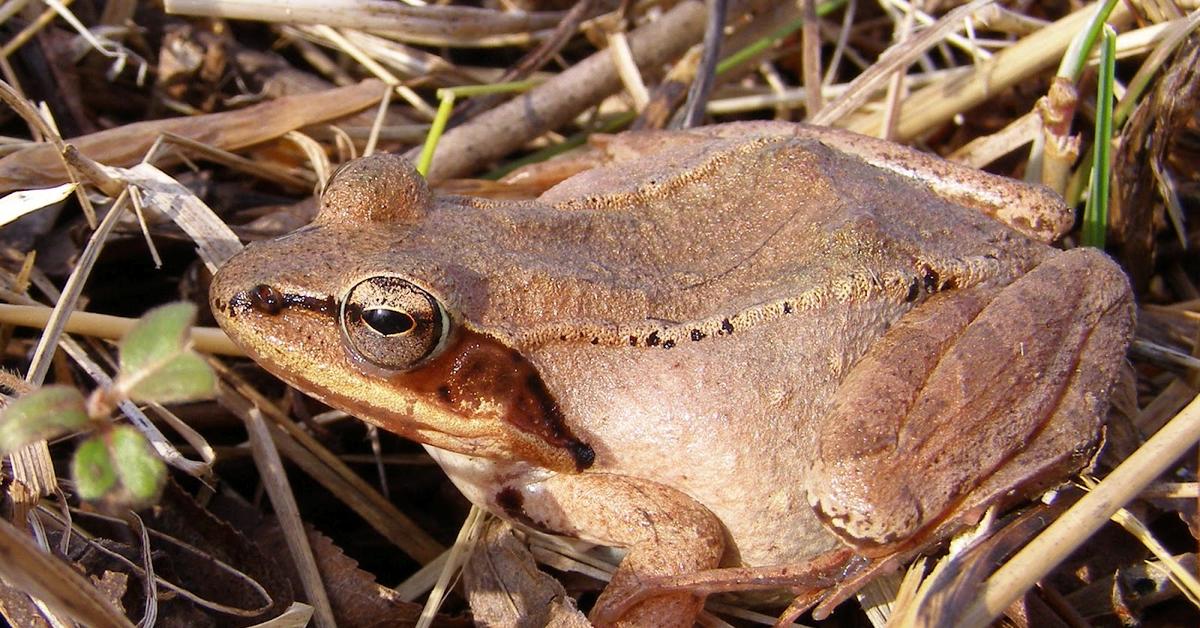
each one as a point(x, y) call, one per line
point(188, 135)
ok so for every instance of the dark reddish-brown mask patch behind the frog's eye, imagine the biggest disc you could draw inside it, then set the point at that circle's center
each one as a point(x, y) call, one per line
point(477, 368)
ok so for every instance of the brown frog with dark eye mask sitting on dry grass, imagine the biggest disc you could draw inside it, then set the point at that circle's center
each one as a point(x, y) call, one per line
point(749, 355)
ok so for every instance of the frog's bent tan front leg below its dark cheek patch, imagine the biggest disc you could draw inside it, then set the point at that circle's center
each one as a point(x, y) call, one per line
point(665, 533)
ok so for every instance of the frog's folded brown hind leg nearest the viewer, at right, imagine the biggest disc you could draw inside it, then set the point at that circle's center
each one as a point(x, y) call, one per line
point(971, 396)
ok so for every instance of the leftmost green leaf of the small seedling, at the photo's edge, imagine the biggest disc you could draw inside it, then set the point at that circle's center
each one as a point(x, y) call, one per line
point(44, 414)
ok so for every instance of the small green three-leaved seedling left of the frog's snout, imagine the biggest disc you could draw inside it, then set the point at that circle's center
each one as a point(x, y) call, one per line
point(116, 464)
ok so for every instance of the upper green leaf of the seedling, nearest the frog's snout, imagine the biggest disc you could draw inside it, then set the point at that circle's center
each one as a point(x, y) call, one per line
point(158, 363)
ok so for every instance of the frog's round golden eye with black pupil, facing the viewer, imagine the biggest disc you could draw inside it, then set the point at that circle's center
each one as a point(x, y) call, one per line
point(394, 324)
